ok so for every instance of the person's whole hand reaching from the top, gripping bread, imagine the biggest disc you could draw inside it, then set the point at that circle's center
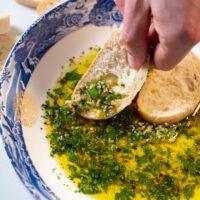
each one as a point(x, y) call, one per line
point(171, 27)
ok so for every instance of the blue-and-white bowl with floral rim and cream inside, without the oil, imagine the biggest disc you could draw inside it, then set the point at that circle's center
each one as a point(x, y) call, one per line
point(33, 66)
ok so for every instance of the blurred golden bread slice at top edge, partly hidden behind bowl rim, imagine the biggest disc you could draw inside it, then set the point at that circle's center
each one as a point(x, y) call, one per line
point(46, 5)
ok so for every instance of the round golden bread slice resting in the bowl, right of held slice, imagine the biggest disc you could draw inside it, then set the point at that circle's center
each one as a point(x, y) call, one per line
point(169, 97)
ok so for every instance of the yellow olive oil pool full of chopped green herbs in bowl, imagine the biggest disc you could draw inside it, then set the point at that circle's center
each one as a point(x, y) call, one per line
point(140, 160)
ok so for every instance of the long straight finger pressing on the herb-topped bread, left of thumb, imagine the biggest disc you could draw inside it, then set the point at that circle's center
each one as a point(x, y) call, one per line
point(135, 30)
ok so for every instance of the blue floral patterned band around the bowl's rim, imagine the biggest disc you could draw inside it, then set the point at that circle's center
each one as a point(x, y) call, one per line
point(42, 35)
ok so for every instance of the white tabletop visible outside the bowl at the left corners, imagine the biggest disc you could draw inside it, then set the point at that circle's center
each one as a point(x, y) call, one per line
point(11, 188)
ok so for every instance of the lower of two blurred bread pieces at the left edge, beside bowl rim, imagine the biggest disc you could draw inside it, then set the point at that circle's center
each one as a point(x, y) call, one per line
point(6, 44)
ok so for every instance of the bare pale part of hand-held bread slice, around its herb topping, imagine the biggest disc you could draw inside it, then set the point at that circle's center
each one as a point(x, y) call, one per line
point(111, 65)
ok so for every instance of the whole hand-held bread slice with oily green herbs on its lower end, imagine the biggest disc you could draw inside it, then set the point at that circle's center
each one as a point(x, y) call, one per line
point(110, 84)
